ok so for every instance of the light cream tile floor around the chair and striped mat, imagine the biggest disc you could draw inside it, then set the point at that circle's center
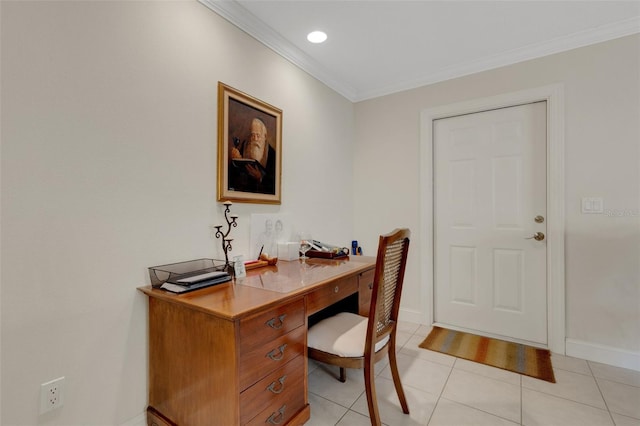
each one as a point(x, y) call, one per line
point(446, 391)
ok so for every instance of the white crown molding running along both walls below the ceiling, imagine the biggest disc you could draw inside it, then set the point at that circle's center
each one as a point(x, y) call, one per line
point(237, 15)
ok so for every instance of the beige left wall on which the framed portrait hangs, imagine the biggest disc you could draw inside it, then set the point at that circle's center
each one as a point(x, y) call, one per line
point(109, 136)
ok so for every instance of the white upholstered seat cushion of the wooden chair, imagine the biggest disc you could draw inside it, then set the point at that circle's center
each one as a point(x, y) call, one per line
point(343, 334)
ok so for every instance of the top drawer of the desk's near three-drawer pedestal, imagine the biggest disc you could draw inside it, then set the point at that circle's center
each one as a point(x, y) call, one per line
point(269, 325)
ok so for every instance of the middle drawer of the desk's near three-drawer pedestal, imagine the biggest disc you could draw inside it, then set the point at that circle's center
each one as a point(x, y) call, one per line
point(270, 356)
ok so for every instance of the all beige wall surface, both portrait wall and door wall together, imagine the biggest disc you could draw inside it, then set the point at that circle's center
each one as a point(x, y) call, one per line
point(108, 166)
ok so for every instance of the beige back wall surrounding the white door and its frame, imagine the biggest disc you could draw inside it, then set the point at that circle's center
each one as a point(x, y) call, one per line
point(602, 153)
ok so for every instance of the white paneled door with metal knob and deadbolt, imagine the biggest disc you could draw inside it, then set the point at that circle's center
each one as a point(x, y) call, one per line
point(489, 201)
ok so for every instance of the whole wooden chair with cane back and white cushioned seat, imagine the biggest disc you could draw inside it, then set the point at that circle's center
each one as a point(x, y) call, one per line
point(348, 340)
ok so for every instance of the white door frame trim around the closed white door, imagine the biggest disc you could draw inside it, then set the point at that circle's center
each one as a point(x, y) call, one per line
point(554, 96)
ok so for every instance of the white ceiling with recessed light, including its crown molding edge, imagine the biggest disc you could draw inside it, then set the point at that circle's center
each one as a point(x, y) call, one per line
point(381, 47)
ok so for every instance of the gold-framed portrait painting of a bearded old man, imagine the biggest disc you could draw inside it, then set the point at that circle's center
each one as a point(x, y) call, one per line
point(249, 148)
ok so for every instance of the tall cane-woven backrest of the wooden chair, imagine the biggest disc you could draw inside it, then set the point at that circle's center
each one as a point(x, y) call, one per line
point(387, 283)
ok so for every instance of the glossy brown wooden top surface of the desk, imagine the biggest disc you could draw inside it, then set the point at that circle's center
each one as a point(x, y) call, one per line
point(266, 286)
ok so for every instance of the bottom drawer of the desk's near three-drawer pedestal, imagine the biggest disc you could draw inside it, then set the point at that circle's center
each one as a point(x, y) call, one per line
point(276, 389)
